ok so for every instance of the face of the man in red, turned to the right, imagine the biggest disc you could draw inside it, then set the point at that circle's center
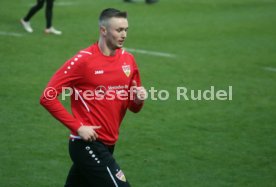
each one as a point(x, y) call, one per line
point(116, 32)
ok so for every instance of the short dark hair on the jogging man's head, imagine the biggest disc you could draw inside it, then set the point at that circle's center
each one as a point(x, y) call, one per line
point(108, 13)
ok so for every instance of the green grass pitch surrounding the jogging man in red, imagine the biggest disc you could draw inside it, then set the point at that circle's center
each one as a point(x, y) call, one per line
point(217, 43)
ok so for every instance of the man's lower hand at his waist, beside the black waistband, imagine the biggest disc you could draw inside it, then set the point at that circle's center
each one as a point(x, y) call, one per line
point(88, 133)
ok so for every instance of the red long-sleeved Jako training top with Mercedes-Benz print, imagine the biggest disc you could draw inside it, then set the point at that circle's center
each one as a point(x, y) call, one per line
point(99, 86)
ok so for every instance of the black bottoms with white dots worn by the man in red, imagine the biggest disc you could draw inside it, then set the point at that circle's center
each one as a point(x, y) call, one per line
point(94, 166)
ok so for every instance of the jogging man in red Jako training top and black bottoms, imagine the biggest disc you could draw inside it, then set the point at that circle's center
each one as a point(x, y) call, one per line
point(104, 82)
